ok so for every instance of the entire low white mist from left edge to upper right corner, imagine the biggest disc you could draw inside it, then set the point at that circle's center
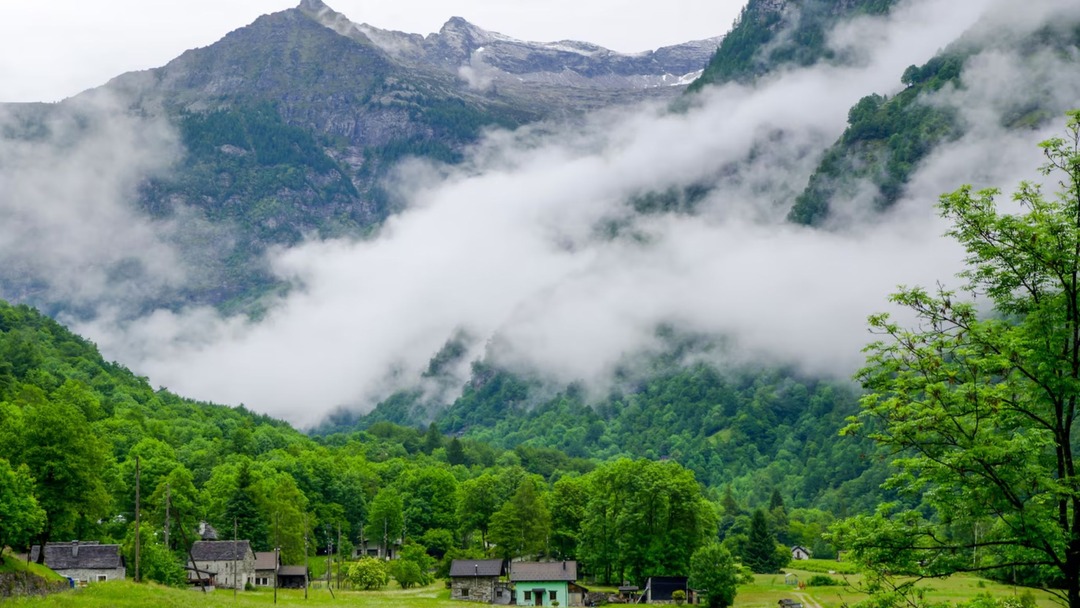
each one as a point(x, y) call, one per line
point(510, 249)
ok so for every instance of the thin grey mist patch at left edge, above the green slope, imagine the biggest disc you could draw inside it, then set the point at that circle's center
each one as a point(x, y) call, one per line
point(67, 229)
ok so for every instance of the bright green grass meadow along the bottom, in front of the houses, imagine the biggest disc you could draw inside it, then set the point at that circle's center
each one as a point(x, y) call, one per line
point(766, 591)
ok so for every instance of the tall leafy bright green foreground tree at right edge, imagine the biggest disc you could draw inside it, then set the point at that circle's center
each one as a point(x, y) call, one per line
point(982, 402)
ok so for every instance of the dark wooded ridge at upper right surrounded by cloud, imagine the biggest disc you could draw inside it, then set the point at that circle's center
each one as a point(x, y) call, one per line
point(888, 138)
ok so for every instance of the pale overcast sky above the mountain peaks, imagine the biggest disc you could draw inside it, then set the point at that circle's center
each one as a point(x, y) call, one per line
point(57, 49)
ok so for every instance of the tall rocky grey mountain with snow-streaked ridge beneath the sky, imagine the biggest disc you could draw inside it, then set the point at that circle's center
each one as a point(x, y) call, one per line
point(290, 126)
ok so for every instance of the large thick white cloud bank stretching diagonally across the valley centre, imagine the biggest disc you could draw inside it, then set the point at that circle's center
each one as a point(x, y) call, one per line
point(517, 246)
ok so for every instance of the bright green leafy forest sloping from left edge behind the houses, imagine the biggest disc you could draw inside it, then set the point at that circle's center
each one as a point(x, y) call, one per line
point(74, 428)
